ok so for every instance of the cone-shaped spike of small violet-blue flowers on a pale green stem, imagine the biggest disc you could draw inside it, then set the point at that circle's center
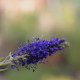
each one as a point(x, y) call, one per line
point(36, 50)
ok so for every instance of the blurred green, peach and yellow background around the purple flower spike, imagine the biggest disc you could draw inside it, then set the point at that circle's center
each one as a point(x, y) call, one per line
point(21, 20)
